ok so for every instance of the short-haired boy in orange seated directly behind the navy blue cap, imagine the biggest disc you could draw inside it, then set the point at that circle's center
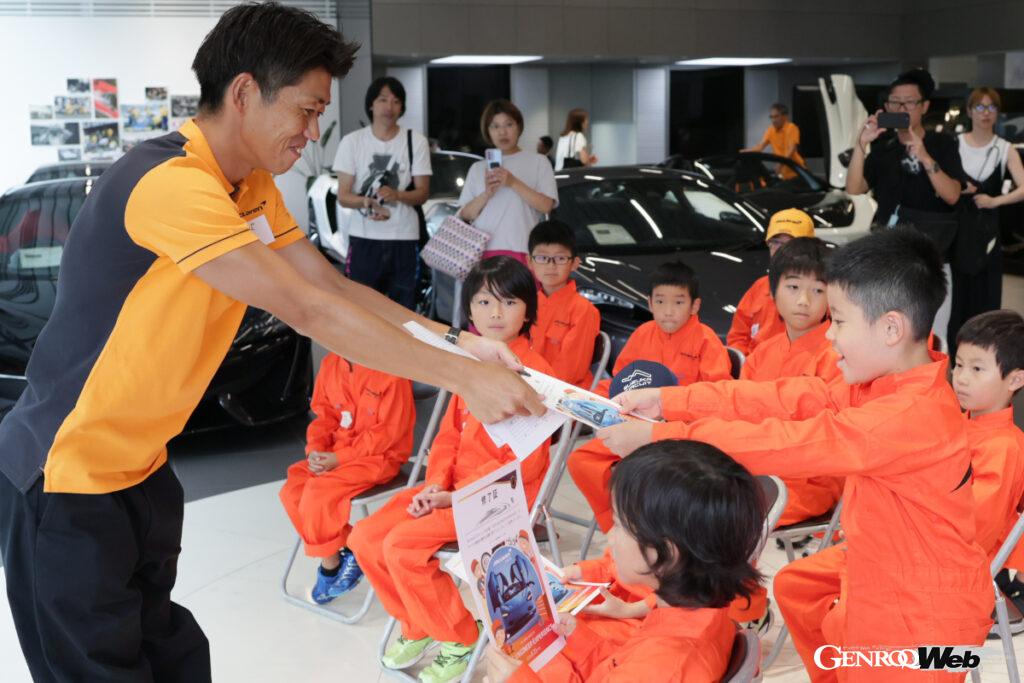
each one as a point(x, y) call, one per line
point(676, 338)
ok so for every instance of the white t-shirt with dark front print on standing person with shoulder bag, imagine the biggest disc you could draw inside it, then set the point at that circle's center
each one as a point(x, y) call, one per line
point(373, 162)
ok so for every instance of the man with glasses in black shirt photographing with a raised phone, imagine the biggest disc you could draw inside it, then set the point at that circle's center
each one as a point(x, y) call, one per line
point(916, 177)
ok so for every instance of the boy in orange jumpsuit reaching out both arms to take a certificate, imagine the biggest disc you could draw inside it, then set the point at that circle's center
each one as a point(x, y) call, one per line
point(911, 572)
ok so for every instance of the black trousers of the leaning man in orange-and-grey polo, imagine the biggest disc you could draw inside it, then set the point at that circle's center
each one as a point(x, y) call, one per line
point(90, 579)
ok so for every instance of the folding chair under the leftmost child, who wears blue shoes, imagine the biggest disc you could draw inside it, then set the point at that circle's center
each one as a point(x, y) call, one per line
point(410, 475)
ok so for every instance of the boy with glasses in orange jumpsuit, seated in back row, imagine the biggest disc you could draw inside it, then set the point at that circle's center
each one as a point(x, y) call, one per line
point(567, 324)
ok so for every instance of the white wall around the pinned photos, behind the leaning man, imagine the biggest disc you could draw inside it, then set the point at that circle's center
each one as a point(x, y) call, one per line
point(40, 54)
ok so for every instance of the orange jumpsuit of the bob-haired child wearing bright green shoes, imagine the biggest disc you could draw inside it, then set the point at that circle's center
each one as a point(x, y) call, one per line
point(397, 551)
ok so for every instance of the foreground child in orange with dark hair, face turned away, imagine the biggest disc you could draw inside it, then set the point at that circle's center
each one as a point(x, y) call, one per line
point(688, 521)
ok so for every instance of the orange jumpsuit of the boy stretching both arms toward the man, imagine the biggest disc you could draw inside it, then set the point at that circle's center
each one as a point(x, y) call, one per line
point(911, 572)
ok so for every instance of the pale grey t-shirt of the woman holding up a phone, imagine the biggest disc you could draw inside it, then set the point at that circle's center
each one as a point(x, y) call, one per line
point(507, 217)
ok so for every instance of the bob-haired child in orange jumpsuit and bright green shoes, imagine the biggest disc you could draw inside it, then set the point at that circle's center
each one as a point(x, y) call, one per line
point(396, 546)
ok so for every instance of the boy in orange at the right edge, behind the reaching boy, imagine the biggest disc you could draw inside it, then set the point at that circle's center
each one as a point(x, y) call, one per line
point(990, 371)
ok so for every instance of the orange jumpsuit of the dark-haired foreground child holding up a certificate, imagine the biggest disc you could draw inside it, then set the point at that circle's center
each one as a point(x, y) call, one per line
point(670, 646)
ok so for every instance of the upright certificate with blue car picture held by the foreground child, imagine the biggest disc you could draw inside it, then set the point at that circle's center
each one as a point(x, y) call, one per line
point(500, 560)
